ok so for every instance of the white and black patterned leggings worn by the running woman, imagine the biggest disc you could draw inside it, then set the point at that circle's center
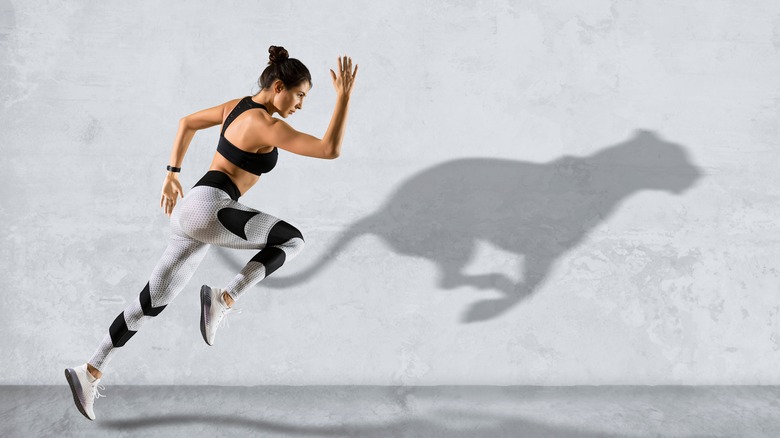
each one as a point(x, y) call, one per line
point(209, 214)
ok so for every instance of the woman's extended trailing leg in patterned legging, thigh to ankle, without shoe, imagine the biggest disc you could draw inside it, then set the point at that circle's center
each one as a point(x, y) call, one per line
point(175, 268)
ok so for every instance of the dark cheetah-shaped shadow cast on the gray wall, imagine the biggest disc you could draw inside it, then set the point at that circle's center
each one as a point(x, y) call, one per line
point(536, 210)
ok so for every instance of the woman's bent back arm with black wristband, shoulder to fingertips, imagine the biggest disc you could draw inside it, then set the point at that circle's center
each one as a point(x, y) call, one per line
point(188, 126)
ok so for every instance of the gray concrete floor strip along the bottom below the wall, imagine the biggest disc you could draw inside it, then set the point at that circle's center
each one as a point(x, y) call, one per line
point(381, 411)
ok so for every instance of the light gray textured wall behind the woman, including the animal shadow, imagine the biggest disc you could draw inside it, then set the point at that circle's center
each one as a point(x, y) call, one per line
point(579, 192)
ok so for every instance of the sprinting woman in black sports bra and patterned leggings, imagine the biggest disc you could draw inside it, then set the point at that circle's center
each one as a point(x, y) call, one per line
point(211, 214)
